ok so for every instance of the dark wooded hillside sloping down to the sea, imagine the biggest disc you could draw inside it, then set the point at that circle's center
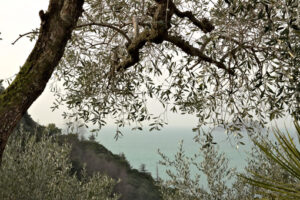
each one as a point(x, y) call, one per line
point(133, 185)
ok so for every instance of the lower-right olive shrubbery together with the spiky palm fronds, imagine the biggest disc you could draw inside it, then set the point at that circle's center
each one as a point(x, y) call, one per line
point(267, 175)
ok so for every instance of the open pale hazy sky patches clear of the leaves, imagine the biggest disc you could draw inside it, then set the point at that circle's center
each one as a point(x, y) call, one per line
point(18, 17)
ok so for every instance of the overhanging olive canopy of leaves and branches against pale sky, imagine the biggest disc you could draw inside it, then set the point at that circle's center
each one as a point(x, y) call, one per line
point(229, 62)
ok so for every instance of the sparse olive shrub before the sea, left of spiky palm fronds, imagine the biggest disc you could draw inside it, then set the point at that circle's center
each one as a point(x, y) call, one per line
point(187, 184)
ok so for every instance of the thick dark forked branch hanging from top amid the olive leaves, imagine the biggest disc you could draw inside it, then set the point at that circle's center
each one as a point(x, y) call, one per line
point(158, 33)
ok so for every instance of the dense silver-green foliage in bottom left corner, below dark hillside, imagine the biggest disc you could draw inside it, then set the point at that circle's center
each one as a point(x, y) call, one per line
point(41, 170)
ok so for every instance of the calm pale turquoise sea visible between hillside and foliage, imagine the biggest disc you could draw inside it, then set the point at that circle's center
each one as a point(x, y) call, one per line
point(140, 147)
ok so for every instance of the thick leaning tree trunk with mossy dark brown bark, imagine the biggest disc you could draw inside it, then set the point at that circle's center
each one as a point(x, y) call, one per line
point(56, 28)
